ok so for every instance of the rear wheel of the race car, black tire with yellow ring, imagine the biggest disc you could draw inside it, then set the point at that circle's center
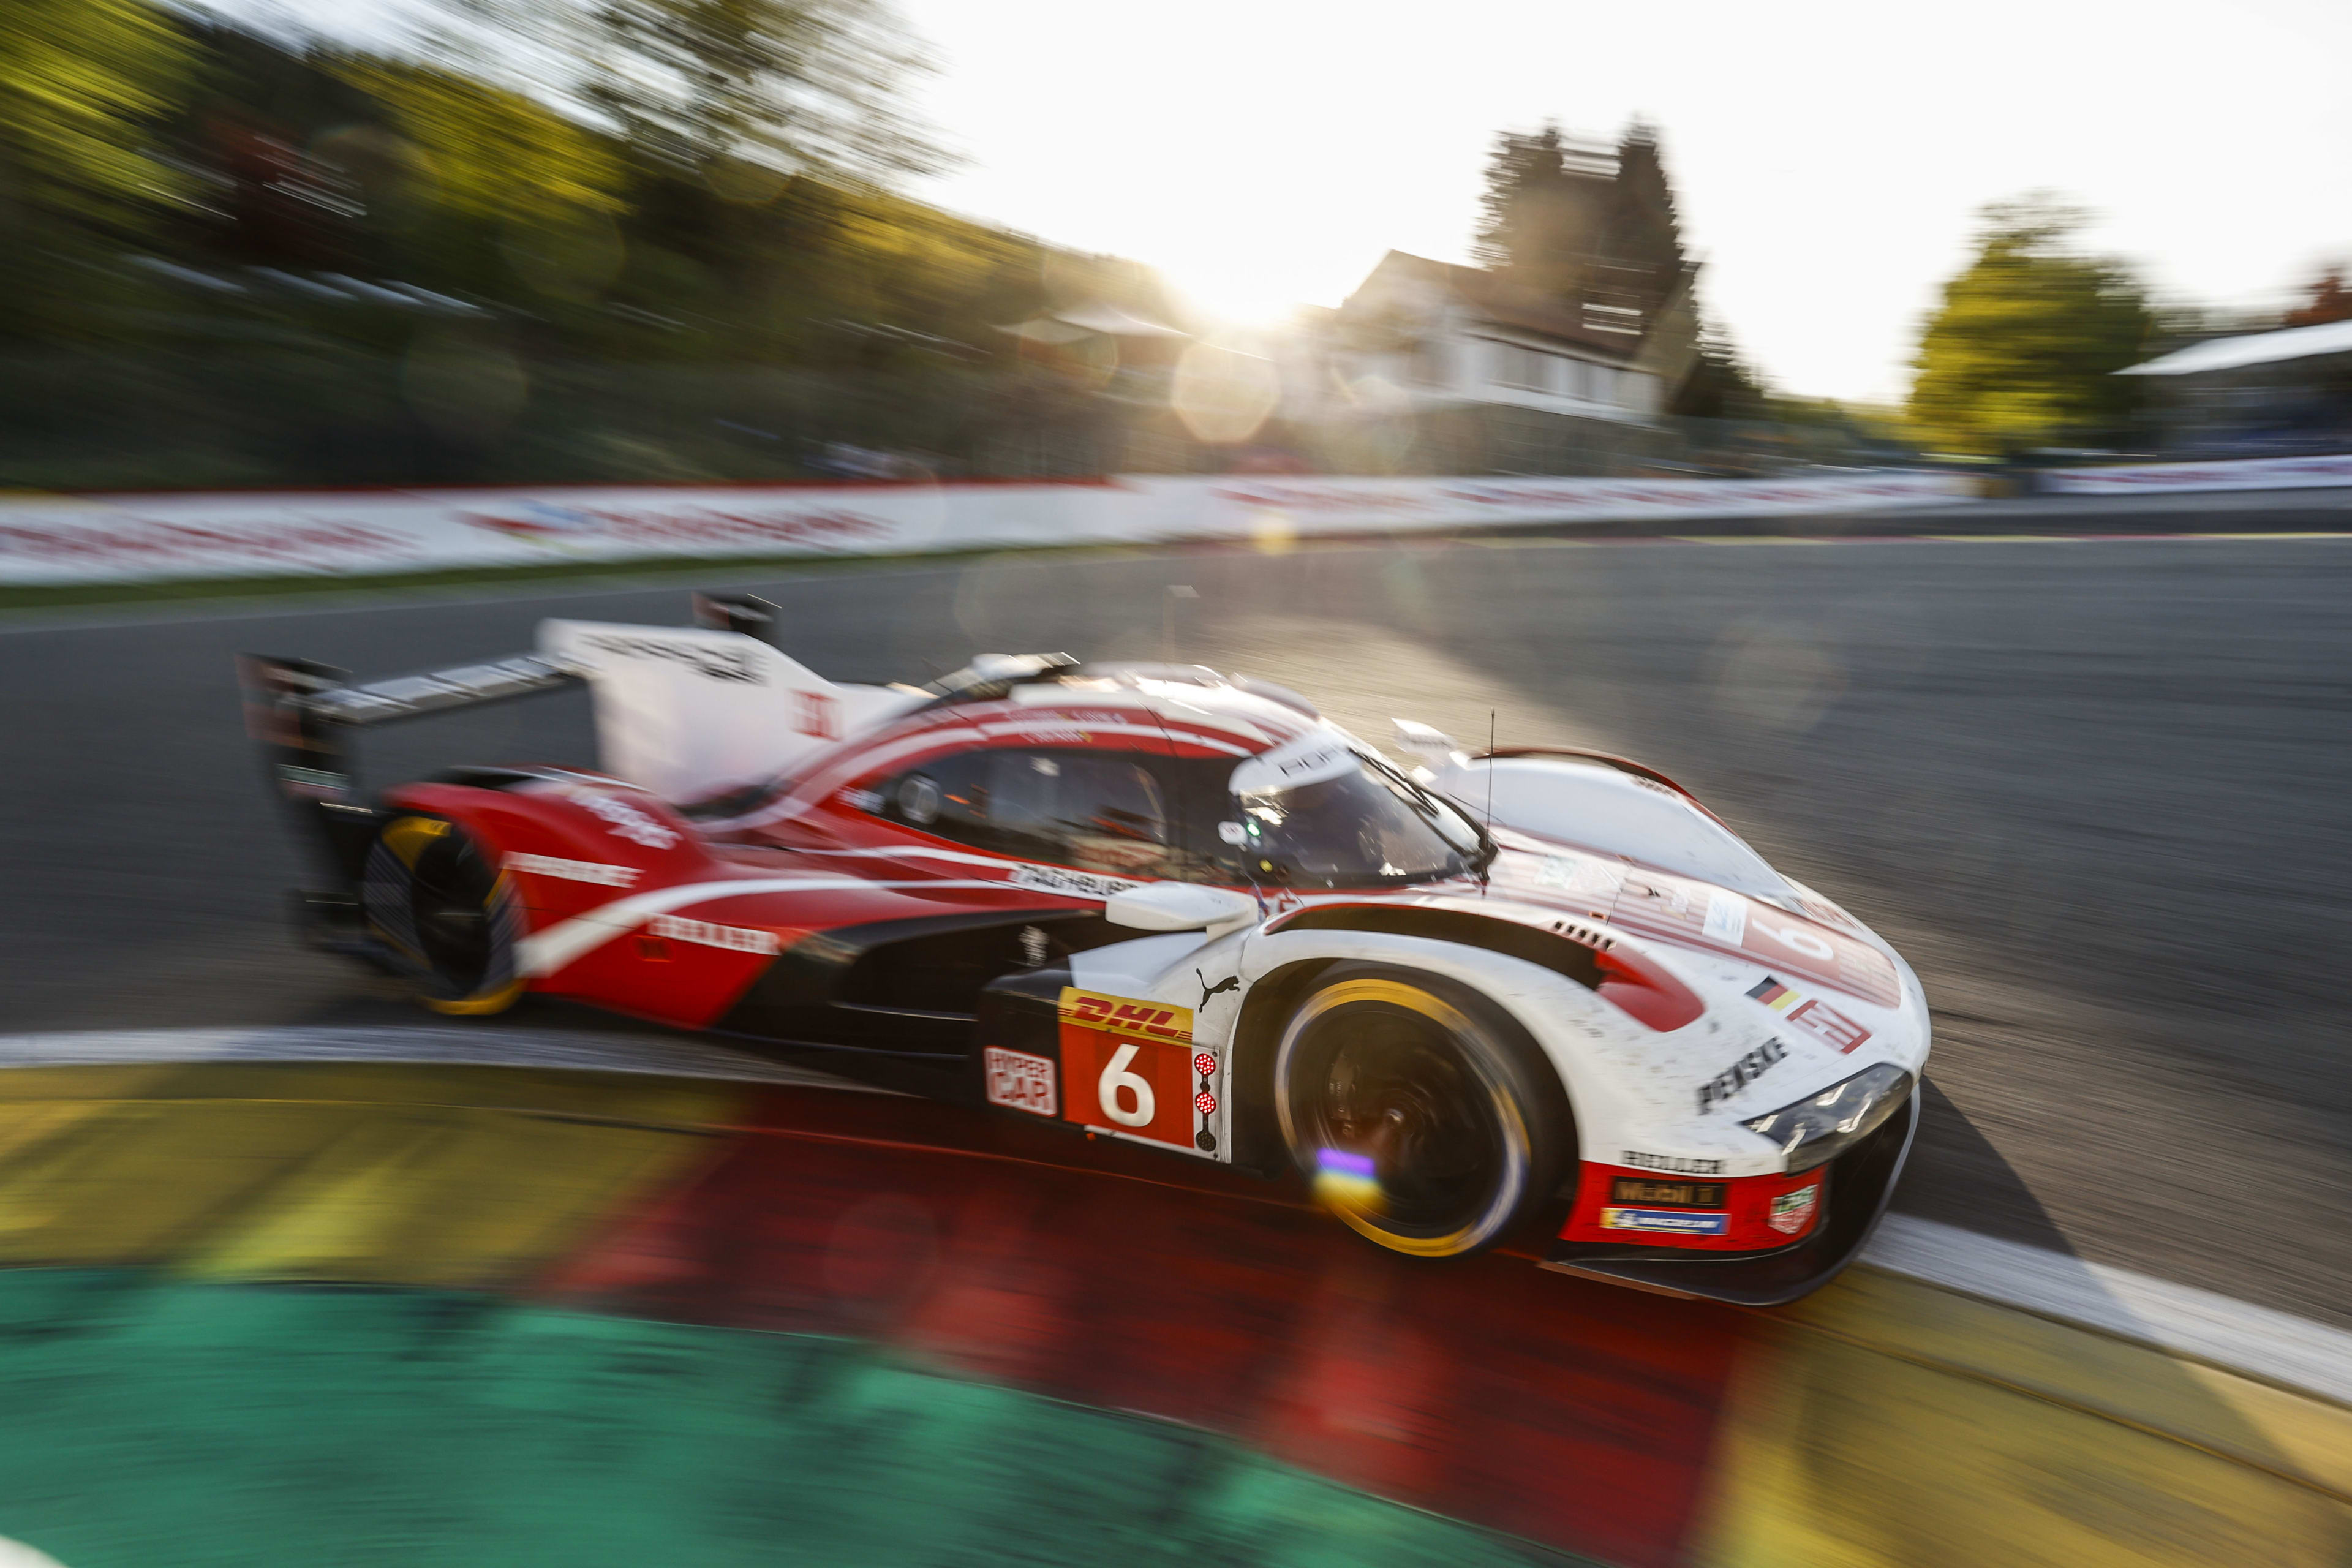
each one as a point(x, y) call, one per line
point(443, 913)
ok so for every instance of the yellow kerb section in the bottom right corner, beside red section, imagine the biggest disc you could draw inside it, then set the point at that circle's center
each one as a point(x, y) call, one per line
point(1887, 1423)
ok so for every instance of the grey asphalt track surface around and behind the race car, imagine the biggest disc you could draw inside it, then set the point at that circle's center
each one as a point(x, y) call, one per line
point(2099, 791)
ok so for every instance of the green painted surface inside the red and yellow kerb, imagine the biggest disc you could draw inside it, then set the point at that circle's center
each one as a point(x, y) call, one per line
point(187, 1426)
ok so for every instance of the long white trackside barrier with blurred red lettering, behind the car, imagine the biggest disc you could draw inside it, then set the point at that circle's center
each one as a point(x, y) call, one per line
point(163, 537)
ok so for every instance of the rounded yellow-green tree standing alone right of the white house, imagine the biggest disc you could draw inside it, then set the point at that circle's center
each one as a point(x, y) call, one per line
point(2029, 340)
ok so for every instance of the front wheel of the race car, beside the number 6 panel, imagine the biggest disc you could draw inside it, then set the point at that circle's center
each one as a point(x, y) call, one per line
point(1424, 1115)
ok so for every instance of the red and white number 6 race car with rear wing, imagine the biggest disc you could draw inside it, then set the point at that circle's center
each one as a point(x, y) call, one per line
point(1537, 996)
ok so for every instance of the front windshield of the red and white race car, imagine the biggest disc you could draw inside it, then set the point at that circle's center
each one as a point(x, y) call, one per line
point(1358, 826)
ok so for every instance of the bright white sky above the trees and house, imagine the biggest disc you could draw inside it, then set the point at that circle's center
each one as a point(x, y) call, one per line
point(1829, 156)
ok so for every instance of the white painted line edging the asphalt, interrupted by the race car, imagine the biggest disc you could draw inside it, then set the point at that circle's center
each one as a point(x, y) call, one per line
point(2181, 1320)
